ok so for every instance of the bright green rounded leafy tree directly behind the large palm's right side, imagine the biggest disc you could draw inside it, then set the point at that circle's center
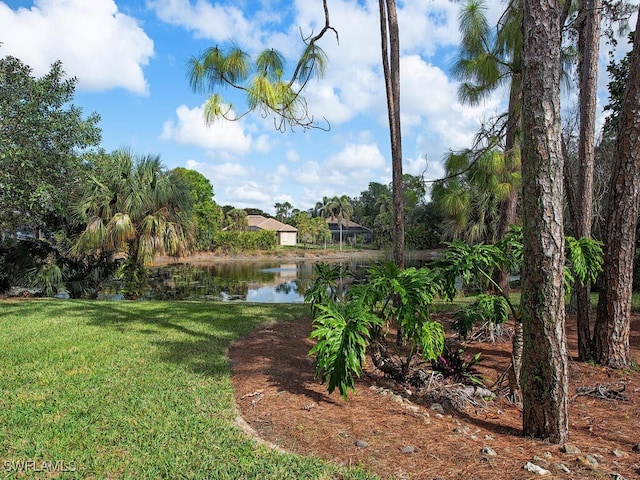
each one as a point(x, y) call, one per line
point(208, 215)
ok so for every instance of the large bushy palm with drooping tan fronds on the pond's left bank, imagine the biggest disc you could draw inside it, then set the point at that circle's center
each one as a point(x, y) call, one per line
point(132, 206)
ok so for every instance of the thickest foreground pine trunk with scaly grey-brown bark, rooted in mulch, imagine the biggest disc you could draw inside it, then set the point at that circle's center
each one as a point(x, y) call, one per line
point(544, 368)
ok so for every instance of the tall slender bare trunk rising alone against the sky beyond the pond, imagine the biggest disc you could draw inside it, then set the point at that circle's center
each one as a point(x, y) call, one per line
point(391, 67)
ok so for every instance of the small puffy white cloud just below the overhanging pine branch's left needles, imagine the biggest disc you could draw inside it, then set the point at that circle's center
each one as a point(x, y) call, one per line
point(191, 129)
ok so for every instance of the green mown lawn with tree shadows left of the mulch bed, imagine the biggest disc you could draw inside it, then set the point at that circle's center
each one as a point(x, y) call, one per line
point(132, 390)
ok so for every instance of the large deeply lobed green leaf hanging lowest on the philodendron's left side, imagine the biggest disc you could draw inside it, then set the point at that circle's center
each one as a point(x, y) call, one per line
point(342, 332)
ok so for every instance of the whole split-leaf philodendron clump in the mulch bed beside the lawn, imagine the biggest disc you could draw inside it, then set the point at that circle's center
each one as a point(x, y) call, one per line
point(387, 295)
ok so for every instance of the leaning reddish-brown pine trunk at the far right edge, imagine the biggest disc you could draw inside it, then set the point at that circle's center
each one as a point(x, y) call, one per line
point(614, 304)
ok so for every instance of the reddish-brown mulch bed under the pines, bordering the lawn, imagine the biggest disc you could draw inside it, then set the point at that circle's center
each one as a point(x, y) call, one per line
point(277, 395)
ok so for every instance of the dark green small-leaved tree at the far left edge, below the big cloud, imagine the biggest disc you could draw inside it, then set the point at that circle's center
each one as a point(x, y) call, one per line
point(42, 139)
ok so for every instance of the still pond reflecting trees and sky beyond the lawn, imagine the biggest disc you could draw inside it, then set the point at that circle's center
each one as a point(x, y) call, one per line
point(262, 280)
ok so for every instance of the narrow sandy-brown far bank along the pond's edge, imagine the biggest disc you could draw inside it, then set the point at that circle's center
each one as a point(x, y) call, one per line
point(208, 258)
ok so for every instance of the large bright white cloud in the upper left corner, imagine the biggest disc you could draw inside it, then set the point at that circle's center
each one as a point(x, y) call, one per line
point(98, 44)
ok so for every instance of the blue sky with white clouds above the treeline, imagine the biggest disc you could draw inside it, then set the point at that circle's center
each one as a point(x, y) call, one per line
point(129, 57)
